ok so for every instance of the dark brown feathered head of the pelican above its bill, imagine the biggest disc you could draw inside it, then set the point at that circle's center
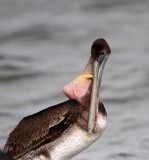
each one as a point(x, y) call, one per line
point(100, 46)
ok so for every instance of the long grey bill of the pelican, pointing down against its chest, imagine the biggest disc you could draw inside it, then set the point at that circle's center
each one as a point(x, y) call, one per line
point(98, 67)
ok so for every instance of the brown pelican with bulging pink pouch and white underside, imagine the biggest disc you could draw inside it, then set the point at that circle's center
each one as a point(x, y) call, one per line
point(62, 131)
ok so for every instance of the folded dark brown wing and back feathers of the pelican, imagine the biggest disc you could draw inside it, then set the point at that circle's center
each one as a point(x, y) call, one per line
point(41, 128)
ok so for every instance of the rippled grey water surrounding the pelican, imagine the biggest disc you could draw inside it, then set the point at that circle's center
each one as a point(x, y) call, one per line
point(45, 44)
